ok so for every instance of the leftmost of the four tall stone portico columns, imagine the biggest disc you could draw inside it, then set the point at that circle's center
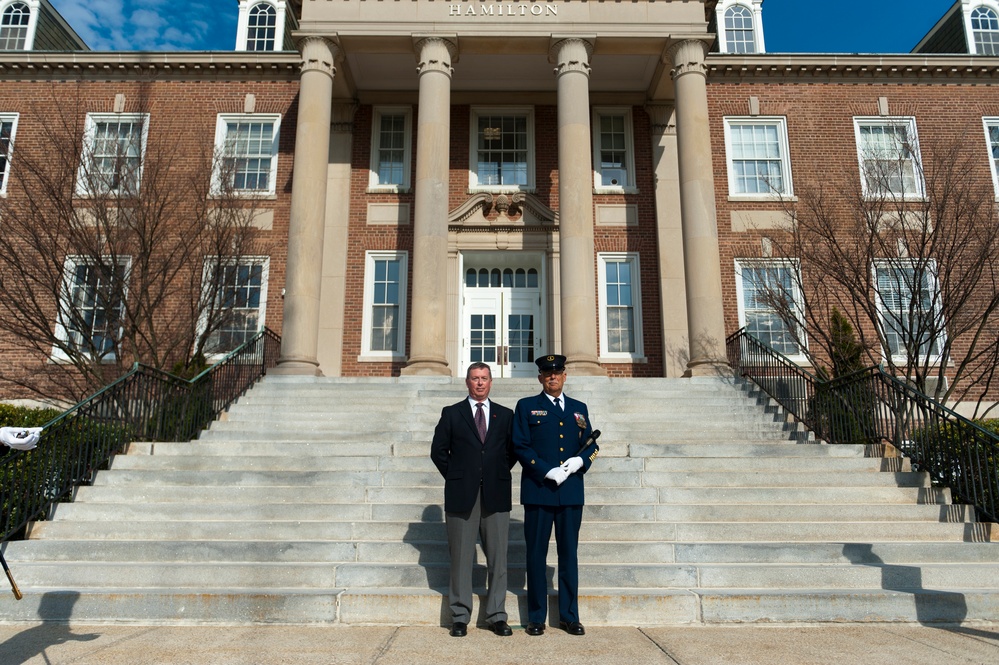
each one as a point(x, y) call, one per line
point(300, 329)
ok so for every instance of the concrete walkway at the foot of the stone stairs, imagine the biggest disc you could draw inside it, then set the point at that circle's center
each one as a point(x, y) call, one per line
point(887, 644)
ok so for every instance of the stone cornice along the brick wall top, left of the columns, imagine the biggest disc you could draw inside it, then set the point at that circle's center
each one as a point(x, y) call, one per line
point(139, 64)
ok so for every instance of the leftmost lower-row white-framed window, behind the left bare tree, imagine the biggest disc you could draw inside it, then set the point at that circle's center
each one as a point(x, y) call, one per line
point(91, 310)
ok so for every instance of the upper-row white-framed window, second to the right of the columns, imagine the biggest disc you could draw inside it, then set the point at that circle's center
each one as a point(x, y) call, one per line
point(888, 150)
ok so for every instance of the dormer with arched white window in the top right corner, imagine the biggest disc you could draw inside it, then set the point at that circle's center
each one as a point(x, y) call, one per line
point(969, 26)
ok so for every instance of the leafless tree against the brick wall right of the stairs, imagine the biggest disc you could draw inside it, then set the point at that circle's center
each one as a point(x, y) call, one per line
point(909, 256)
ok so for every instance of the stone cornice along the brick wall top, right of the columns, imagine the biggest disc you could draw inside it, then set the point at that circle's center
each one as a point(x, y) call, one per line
point(852, 68)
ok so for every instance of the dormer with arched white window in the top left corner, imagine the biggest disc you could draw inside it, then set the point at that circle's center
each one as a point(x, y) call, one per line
point(35, 25)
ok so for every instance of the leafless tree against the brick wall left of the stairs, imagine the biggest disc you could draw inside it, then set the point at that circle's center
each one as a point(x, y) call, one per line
point(116, 247)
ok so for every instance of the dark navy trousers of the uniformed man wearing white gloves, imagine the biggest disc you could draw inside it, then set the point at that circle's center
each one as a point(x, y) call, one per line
point(538, 522)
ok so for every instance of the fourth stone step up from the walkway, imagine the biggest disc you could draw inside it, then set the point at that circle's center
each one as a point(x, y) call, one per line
point(594, 531)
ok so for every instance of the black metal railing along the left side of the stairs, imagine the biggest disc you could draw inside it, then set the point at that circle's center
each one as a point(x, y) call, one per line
point(145, 404)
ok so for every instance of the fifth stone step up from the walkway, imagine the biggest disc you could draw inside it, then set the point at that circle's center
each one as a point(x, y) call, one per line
point(84, 511)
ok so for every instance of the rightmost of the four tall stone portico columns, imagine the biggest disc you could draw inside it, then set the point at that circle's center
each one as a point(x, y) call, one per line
point(705, 316)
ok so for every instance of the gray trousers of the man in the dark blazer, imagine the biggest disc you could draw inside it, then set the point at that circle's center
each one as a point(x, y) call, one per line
point(462, 529)
